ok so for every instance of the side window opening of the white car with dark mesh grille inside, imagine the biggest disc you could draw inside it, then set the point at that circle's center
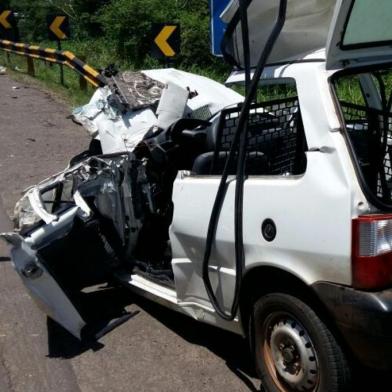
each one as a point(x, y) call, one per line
point(276, 142)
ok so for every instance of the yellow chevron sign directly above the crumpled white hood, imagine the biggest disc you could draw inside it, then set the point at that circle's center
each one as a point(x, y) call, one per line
point(167, 40)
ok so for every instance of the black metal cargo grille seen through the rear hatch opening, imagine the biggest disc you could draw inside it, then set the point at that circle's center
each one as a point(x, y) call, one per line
point(370, 132)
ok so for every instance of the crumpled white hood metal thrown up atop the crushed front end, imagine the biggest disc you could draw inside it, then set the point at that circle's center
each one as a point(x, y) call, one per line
point(157, 99)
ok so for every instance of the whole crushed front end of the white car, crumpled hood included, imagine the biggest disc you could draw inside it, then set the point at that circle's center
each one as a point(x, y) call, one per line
point(145, 128)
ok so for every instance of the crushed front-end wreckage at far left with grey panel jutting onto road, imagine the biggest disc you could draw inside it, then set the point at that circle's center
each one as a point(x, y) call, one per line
point(50, 214)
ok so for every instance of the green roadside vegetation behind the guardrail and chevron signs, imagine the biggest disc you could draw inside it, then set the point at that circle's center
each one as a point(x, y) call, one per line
point(116, 31)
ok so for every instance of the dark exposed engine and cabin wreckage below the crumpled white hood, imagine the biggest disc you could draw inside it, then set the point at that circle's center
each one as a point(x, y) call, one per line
point(124, 208)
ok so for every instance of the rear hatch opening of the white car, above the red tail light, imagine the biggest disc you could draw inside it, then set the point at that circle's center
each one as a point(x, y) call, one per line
point(366, 105)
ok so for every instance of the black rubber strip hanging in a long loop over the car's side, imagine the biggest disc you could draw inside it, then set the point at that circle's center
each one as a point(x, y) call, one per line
point(221, 194)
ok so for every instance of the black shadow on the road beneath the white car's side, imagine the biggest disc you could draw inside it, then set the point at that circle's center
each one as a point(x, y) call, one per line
point(105, 305)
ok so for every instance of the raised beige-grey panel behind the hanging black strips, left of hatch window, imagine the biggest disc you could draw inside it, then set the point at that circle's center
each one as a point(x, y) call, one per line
point(305, 30)
